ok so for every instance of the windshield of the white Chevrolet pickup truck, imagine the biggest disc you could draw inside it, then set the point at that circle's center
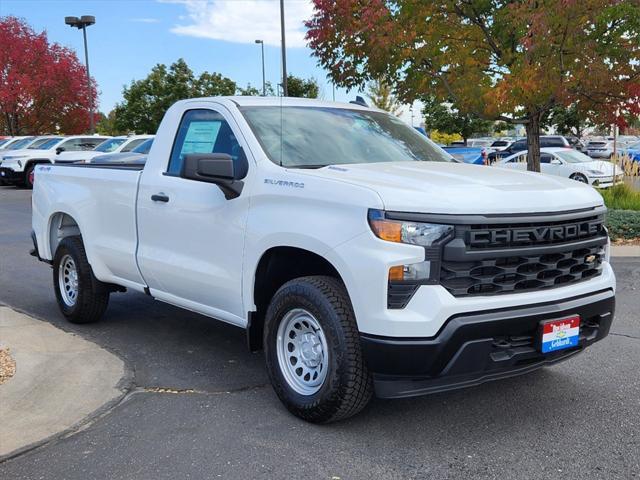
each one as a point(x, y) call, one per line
point(314, 137)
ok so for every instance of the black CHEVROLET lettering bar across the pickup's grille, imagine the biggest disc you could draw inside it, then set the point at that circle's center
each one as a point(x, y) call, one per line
point(533, 235)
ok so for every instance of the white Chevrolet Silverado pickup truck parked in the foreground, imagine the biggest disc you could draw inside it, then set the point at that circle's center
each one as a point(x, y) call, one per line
point(358, 254)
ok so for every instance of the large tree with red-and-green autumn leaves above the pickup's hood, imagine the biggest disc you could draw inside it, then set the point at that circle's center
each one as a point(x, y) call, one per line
point(500, 60)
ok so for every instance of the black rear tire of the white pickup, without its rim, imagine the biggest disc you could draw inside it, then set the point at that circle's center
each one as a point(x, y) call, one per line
point(91, 298)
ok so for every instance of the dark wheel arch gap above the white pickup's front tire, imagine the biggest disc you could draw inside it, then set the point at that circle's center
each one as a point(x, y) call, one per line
point(276, 266)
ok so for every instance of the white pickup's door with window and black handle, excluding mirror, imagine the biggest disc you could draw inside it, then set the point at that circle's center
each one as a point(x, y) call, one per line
point(191, 238)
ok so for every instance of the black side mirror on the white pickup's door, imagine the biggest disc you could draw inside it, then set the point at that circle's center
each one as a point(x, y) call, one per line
point(218, 168)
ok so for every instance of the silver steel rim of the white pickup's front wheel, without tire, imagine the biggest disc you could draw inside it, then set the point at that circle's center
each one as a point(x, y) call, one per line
point(302, 351)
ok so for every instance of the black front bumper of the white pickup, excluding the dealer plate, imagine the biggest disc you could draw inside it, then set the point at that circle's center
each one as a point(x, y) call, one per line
point(474, 348)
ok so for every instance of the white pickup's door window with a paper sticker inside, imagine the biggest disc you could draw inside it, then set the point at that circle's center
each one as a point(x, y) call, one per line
point(202, 131)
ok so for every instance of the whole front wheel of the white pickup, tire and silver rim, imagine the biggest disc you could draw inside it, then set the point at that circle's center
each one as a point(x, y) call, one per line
point(312, 348)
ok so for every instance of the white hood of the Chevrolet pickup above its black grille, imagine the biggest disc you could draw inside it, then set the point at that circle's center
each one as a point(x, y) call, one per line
point(454, 188)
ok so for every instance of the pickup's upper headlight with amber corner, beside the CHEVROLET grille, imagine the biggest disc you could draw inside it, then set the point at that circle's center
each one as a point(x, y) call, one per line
point(414, 233)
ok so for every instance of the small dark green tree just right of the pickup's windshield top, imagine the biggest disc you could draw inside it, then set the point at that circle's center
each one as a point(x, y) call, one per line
point(446, 119)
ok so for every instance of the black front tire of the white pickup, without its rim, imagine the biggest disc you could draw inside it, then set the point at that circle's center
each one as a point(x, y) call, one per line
point(348, 387)
